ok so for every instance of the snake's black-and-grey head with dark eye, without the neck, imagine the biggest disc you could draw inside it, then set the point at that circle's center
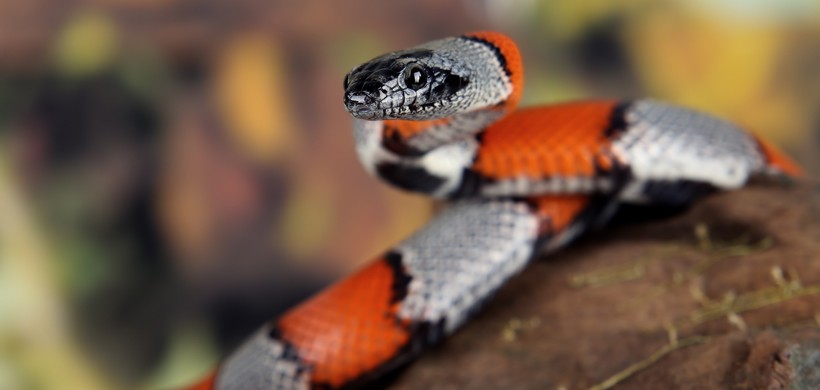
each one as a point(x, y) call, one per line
point(419, 83)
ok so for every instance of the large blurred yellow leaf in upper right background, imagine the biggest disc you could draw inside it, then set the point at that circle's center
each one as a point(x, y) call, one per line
point(696, 60)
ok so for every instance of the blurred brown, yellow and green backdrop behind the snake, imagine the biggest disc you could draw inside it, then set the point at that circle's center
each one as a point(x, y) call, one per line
point(175, 172)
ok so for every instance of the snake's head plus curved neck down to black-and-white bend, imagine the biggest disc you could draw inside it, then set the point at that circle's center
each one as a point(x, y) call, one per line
point(469, 83)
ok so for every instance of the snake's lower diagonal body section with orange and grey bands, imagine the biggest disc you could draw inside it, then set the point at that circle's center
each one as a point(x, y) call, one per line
point(411, 297)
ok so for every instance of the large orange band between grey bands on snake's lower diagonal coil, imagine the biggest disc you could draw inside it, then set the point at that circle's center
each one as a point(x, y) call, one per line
point(357, 330)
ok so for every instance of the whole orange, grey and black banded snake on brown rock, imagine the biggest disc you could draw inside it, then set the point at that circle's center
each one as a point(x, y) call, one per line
point(442, 119)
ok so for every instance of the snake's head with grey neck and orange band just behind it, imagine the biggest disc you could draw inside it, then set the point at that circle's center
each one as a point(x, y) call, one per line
point(438, 79)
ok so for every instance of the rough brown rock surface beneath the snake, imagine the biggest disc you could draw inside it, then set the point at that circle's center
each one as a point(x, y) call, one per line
point(725, 296)
